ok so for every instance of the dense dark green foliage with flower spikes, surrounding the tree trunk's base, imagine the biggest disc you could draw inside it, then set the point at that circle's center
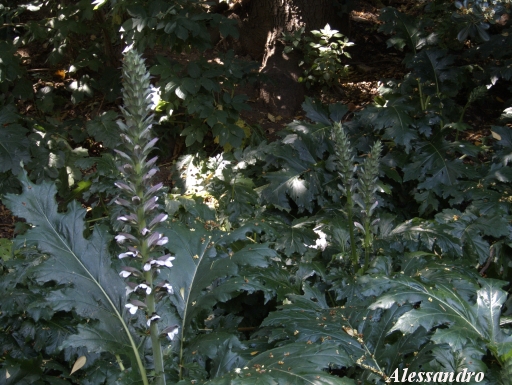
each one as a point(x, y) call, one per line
point(344, 250)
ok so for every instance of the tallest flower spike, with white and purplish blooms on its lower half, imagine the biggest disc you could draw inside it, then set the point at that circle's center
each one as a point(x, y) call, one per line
point(138, 200)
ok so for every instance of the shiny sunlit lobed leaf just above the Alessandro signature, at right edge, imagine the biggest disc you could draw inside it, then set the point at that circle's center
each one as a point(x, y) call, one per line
point(440, 304)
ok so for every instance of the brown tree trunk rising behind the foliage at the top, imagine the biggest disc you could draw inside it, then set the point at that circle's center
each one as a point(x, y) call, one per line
point(262, 25)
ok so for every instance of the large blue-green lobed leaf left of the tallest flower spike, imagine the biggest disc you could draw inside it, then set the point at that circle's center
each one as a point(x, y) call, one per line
point(91, 288)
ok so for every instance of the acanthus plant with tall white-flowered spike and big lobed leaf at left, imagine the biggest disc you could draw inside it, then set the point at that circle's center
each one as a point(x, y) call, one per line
point(71, 265)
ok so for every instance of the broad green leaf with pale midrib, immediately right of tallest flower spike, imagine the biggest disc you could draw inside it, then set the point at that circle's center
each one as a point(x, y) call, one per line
point(201, 266)
